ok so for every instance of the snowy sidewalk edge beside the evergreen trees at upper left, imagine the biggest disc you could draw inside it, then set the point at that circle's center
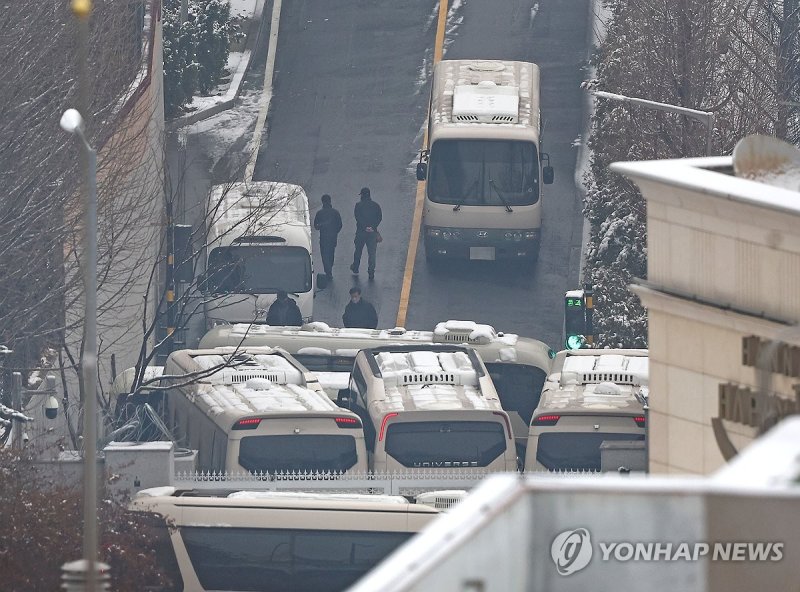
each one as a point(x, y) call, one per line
point(226, 94)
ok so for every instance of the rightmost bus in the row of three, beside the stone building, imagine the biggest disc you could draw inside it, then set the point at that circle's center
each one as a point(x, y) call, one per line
point(593, 396)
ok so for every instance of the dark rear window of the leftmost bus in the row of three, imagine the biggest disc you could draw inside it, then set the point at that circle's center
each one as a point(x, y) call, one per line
point(310, 452)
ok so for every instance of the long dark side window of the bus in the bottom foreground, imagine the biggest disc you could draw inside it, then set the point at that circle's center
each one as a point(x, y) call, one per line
point(272, 560)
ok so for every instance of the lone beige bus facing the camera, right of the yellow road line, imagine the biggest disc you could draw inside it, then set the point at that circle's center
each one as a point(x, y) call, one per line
point(483, 162)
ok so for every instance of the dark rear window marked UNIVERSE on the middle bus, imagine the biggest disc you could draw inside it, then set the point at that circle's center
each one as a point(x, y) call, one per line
point(445, 443)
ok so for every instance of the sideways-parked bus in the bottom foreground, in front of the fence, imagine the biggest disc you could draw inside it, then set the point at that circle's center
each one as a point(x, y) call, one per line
point(281, 542)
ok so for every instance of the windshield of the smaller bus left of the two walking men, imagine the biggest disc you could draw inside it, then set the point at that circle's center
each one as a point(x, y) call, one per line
point(258, 270)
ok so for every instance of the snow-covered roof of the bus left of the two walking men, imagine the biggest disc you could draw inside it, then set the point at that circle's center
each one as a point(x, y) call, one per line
point(284, 213)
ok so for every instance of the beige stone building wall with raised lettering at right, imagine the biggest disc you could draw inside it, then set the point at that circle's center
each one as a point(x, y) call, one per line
point(723, 266)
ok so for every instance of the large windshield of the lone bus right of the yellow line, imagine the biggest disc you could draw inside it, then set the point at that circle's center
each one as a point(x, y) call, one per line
point(484, 173)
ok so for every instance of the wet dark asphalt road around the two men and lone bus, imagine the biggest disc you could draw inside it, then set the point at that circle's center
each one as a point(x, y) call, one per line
point(351, 89)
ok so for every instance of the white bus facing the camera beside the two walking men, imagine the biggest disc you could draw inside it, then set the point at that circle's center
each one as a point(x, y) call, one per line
point(259, 242)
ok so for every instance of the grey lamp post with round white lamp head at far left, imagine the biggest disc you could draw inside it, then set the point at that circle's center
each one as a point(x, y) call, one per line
point(72, 122)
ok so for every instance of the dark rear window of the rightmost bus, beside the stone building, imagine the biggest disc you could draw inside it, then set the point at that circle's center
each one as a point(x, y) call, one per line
point(563, 451)
